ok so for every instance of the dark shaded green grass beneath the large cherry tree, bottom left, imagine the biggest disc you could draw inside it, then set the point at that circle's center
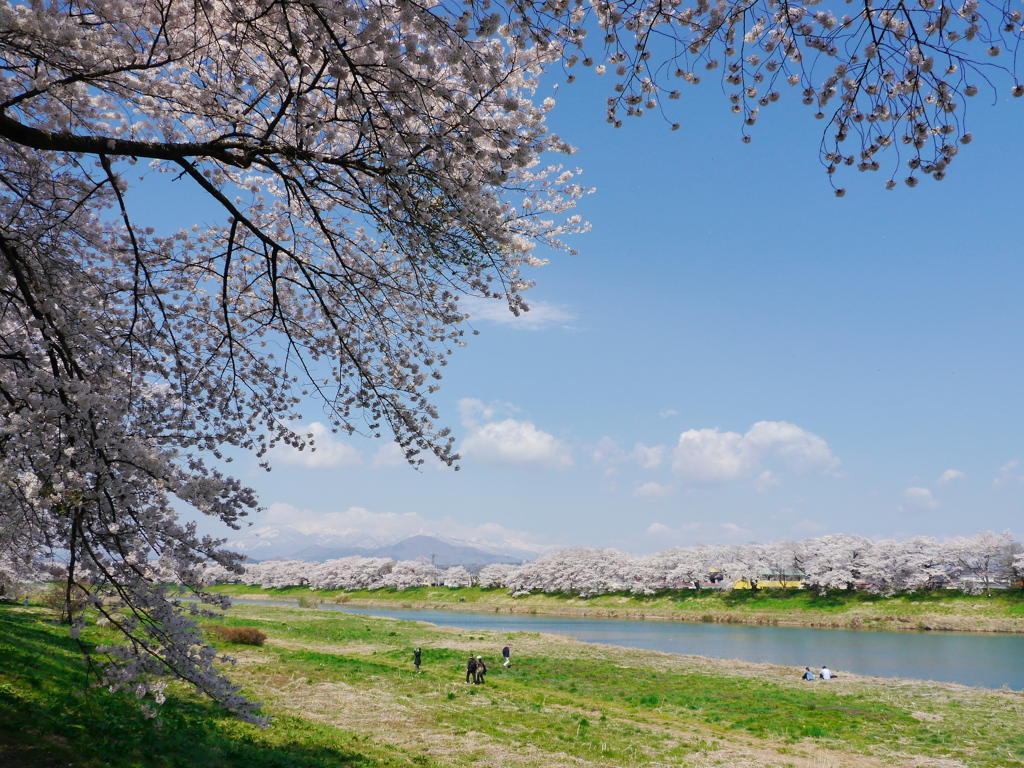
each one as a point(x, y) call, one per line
point(51, 719)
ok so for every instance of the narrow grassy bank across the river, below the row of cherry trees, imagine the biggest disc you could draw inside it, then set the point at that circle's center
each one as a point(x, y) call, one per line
point(1004, 613)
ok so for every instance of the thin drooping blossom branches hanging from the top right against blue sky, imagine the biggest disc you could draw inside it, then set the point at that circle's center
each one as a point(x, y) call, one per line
point(884, 75)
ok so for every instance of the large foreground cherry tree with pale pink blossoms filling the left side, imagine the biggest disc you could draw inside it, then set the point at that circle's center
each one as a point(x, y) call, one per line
point(366, 165)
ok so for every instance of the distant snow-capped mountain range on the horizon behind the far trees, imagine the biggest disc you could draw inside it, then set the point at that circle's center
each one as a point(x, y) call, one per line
point(273, 543)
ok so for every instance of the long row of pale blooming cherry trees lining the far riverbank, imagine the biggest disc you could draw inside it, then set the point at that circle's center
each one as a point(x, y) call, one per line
point(974, 564)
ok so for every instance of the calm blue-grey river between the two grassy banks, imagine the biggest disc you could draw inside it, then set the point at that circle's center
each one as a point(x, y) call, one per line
point(969, 659)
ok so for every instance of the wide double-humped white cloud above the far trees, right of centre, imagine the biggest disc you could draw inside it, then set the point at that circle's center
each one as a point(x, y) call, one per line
point(712, 457)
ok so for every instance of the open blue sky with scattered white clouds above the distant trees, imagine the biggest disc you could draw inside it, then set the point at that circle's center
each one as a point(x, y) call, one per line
point(736, 355)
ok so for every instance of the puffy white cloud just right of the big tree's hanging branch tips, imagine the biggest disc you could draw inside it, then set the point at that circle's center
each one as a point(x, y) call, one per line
point(511, 443)
